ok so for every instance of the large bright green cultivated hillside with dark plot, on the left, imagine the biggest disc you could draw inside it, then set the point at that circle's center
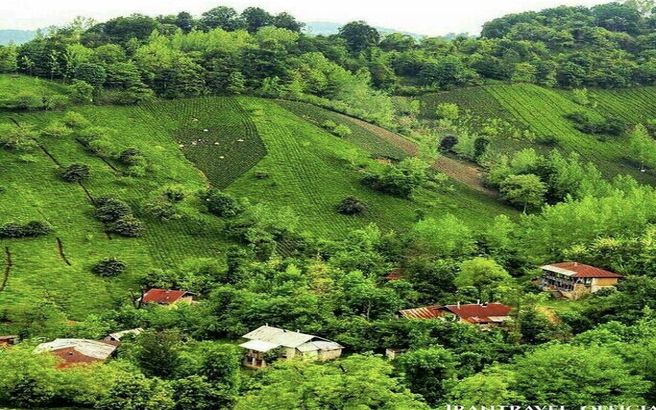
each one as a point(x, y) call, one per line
point(253, 148)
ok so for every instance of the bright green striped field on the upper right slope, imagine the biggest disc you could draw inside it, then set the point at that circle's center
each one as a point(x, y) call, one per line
point(543, 111)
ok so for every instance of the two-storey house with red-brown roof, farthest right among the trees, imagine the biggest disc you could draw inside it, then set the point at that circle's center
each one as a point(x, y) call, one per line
point(573, 280)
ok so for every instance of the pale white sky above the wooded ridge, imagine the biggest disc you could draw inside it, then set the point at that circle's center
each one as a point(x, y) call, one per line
point(429, 17)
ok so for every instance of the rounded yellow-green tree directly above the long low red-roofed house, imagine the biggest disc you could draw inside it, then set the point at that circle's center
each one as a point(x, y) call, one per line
point(483, 274)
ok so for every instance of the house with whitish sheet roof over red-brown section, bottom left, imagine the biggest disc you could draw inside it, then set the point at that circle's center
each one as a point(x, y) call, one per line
point(77, 351)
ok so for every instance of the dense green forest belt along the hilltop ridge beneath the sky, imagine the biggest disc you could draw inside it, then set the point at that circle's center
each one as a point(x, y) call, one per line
point(225, 52)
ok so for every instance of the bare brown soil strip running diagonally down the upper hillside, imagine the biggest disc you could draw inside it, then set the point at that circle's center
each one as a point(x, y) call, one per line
point(461, 171)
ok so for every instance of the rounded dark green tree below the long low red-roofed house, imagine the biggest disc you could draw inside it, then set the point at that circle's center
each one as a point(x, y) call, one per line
point(428, 372)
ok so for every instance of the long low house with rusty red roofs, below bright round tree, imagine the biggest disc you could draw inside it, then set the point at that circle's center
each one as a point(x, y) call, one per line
point(481, 314)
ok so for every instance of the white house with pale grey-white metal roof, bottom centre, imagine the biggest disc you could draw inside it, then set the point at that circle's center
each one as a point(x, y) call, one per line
point(267, 342)
